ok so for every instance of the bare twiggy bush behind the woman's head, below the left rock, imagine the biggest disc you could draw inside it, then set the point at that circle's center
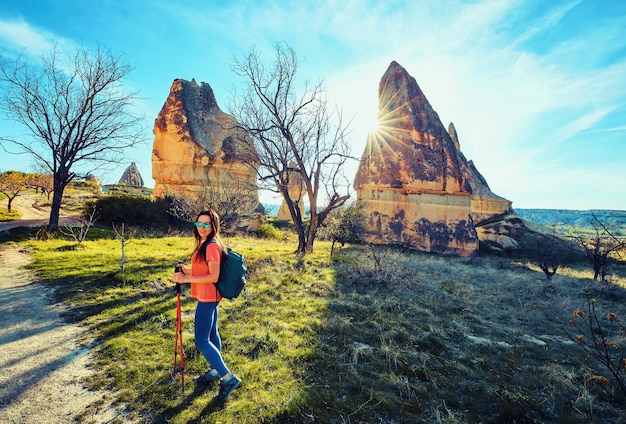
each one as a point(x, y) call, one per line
point(234, 204)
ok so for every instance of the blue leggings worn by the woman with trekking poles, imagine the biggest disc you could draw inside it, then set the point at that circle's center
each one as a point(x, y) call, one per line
point(207, 337)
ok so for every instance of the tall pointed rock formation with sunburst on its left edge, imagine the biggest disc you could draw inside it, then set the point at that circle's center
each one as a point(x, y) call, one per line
point(417, 188)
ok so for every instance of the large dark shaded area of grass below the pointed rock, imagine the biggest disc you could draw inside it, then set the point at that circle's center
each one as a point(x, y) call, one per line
point(471, 340)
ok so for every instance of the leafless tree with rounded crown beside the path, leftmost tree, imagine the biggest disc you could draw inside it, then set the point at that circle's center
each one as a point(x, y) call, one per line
point(74, 109)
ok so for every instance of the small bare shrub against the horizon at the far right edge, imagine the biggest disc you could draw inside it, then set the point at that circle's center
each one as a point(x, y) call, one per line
point(600, 248)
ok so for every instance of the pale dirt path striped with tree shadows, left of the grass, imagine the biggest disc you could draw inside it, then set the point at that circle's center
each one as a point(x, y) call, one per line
point(42, 362)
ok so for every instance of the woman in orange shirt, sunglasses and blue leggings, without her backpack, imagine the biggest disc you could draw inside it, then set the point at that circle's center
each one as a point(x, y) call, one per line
point(202, 275)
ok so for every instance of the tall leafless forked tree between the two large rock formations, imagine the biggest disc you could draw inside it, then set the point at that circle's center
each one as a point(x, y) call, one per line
point(287, 127)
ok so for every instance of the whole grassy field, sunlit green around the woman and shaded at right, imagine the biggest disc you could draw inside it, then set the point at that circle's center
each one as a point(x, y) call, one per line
point(370, 335)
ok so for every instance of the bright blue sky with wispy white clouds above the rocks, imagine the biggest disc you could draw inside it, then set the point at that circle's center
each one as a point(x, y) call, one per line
point(536, 89)
